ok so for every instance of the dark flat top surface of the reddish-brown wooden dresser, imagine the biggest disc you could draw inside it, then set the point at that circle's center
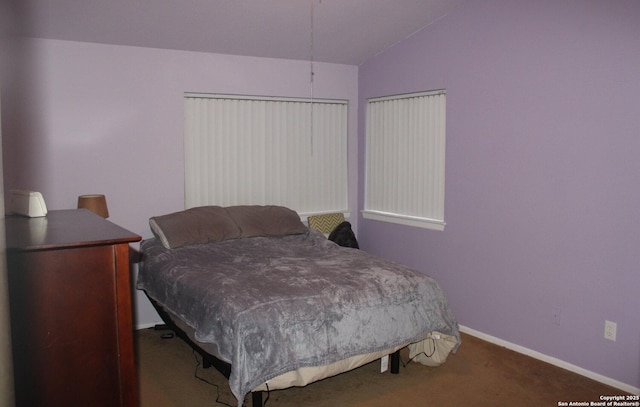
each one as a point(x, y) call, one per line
point(63, 229)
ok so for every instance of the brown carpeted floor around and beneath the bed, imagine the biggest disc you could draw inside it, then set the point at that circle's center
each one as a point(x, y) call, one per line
point(480, 374)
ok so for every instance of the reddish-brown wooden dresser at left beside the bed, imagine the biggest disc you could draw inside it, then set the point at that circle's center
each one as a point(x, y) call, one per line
point(70, 307)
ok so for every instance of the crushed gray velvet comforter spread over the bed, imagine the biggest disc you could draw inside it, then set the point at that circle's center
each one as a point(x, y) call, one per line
point(275, 304)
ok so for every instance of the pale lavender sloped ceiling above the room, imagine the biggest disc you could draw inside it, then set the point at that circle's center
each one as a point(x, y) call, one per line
point(343, 31)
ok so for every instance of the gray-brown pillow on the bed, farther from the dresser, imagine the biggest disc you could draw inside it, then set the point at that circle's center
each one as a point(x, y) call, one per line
point(270, 220)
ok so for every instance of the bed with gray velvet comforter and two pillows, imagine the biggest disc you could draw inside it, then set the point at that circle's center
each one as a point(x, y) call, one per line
point(278, 303)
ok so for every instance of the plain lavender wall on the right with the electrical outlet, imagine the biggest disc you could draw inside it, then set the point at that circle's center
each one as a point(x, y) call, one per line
point(542, 173)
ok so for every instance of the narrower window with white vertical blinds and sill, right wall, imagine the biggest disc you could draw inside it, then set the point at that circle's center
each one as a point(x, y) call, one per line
point(405, 151)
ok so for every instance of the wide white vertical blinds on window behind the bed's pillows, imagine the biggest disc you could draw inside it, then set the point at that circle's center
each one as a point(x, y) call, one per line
point(266, 151)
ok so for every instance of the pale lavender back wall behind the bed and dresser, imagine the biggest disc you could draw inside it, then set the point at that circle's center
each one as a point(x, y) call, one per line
point(88, 118)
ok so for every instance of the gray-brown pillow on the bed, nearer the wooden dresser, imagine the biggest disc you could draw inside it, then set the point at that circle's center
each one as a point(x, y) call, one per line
point(204, 224)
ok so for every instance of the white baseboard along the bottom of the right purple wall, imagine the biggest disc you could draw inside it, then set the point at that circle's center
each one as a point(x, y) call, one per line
point(551, 360)
